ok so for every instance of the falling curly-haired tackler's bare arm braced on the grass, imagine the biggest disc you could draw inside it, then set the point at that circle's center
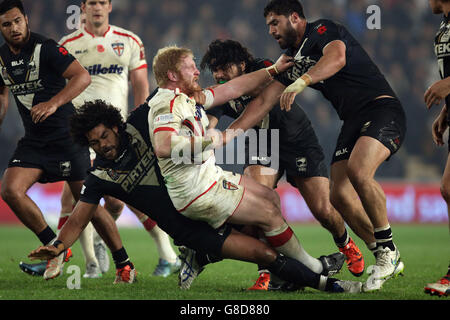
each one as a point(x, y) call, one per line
point(70, 232)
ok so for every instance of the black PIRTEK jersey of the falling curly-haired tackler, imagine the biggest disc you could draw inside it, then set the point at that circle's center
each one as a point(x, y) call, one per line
point(134, 177)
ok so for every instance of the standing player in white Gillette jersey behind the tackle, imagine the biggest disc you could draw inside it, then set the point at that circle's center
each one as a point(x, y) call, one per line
point(113, 56)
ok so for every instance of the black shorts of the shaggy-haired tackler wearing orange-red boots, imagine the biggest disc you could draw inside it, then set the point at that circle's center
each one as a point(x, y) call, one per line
point(303, 158)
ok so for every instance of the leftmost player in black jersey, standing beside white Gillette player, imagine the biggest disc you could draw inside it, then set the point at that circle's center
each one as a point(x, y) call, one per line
point(35, 70)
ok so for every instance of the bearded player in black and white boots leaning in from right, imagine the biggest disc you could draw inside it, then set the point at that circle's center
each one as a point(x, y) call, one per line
point(330, 60)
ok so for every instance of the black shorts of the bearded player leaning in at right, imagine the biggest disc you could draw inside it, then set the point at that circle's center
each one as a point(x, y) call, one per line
point(382, 119)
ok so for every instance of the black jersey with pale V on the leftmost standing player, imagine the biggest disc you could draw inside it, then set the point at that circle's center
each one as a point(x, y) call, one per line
point(34, 76)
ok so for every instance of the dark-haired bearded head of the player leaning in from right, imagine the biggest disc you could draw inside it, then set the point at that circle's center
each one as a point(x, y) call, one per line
point(286, 21)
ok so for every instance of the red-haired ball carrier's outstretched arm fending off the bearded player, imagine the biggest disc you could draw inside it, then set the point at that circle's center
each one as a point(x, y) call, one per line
point(247, 83)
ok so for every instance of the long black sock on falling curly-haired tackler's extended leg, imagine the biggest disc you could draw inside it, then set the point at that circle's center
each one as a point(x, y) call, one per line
point(294, 271)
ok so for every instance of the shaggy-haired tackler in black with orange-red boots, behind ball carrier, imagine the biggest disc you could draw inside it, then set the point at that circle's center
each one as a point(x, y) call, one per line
point(300, 154)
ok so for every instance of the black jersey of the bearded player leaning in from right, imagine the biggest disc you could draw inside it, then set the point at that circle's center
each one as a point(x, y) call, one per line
point(355, 85)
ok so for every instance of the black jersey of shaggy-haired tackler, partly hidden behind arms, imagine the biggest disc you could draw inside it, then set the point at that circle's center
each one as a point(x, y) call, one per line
point(292, 124)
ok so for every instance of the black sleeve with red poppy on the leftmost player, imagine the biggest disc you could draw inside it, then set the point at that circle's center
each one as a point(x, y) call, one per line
point(57, 57)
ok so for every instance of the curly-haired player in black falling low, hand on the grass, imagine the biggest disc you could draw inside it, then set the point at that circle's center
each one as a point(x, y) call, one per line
point(126, 168)
